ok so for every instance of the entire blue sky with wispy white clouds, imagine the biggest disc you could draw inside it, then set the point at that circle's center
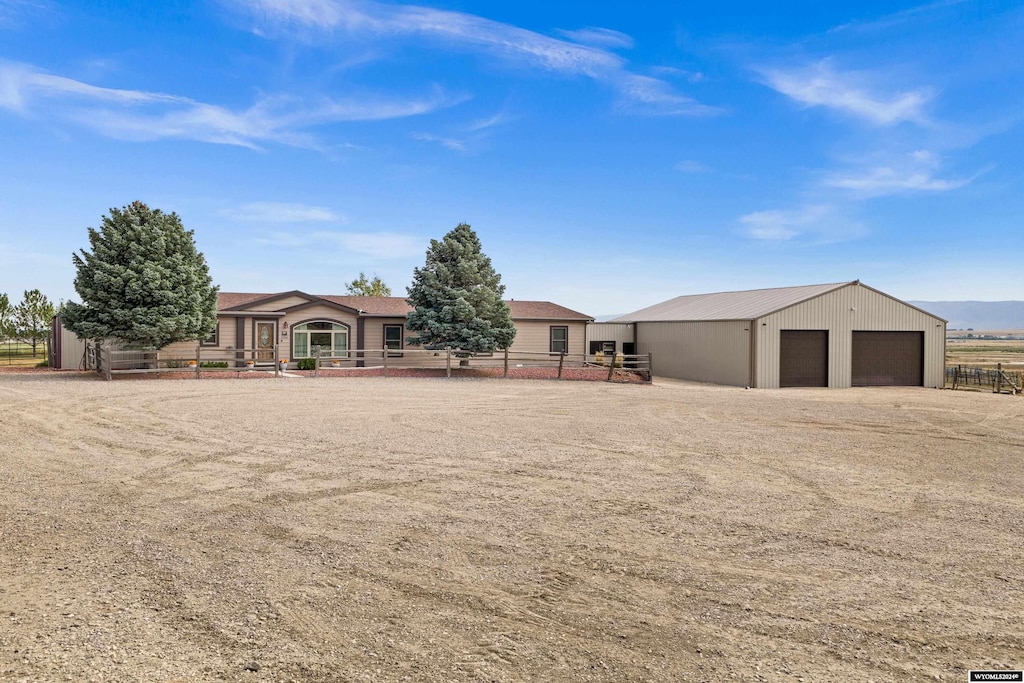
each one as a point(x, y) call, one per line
point(610, 155)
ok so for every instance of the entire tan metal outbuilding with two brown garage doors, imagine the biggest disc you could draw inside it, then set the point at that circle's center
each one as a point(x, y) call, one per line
point(837, 335)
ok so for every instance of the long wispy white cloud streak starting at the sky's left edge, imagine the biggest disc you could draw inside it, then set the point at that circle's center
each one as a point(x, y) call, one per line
point(138, 115)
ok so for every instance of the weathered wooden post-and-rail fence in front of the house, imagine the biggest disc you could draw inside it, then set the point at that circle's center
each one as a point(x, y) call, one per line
point(111, 362)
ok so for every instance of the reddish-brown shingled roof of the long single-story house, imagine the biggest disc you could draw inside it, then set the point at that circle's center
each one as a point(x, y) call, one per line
point(371, 307)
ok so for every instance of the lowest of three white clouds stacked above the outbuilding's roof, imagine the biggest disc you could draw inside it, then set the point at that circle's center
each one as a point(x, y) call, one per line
point(819, 223)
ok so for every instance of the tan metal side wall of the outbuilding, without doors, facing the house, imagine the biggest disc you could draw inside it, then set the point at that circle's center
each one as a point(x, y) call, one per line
point(717, 353)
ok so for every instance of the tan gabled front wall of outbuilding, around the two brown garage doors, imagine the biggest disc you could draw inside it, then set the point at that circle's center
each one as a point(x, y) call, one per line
point(843, 312)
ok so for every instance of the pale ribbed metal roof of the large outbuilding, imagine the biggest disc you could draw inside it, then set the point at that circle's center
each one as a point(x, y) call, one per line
point(729, 306)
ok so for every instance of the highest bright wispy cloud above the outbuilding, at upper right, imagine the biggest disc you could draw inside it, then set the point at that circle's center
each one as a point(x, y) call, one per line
point(851, 93)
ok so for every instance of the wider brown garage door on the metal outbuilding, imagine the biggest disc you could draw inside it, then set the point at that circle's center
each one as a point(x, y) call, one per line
point(888, 359)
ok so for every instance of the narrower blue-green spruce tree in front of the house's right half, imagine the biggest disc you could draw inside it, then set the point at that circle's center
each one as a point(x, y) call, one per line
point(457, 297)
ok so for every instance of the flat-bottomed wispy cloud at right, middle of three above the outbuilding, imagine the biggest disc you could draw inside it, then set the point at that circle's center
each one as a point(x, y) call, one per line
point(916, 173)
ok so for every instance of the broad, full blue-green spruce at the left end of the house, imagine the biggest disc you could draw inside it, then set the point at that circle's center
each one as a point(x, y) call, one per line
point(144, 283)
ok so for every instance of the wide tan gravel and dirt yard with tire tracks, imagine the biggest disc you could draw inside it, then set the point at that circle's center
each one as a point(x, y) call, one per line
point(401, 530)
